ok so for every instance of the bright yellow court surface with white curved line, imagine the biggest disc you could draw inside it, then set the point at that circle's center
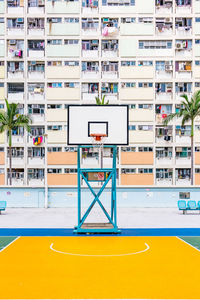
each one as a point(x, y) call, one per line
point(93, 267)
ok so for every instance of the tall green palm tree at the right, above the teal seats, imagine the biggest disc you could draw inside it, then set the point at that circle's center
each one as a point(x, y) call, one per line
point(190, 109)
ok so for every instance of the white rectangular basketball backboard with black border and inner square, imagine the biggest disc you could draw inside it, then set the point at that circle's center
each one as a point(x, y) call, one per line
point(84, 120)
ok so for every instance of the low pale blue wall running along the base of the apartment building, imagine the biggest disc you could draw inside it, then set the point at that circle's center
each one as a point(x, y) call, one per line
point(67, 197)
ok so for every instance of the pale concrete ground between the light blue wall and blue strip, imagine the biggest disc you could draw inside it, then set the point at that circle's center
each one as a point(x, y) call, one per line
point(127, 218)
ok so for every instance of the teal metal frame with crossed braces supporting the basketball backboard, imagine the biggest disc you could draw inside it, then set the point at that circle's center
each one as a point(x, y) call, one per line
point(111, 226)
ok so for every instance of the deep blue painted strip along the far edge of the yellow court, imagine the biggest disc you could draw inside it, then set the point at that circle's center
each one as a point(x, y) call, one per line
point(124, 232)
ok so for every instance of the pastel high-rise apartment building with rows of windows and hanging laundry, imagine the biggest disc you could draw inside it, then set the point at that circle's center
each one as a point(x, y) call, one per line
point(58, 52)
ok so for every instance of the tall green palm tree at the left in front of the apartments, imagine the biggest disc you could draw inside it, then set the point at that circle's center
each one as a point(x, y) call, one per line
point(10, 120)
